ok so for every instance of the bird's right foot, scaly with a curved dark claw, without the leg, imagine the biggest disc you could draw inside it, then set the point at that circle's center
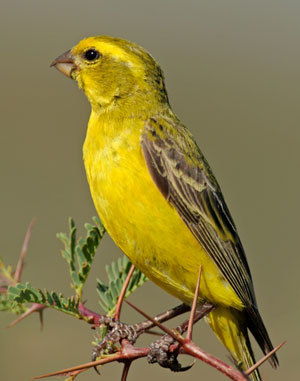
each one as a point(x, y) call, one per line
point(164, 351)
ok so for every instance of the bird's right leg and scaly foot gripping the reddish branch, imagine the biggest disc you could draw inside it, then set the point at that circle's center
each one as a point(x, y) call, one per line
point(165, 350)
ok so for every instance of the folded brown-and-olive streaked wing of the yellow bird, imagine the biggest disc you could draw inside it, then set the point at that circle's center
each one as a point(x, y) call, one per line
point(183, 176)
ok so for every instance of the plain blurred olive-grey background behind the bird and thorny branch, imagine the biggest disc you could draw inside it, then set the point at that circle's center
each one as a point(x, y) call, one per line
point(232, 73)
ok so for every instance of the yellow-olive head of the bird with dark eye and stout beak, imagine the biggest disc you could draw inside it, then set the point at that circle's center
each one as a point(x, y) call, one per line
point(113, 72)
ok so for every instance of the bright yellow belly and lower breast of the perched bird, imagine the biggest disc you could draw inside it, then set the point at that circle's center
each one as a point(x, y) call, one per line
point(150, 232)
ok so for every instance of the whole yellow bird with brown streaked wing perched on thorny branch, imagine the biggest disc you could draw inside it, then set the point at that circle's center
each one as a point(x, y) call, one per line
point(156, 194)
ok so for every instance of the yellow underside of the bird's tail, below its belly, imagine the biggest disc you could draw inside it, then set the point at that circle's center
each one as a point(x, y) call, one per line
point(231, 329)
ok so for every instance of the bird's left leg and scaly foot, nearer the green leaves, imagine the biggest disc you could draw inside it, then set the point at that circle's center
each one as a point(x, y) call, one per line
point(115, 330)
